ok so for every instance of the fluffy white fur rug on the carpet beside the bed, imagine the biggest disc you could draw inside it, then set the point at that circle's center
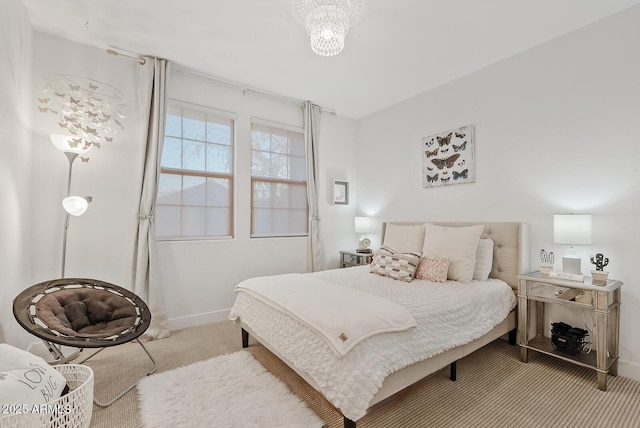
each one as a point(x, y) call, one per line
point(232, 390)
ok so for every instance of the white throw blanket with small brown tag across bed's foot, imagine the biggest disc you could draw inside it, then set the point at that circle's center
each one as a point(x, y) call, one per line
point(343, 316)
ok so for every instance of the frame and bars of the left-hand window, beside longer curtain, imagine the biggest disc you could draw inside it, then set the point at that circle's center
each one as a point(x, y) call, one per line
point(171, 102)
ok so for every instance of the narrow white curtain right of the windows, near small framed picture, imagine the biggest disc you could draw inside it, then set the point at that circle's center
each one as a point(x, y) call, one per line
point(311, 136)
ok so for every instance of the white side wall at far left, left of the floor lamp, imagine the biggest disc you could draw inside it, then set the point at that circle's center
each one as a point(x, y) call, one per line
point(16, 64)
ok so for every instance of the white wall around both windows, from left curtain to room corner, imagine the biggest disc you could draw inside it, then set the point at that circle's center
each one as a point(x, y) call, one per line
point(199, 276)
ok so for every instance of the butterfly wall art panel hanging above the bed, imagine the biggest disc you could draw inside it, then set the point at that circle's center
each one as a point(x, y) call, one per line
point(448, 158)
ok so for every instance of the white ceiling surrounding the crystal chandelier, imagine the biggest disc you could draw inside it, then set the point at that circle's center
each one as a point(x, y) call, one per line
point(394, 49)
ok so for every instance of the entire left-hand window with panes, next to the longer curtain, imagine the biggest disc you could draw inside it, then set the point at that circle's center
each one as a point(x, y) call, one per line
point(195, 193)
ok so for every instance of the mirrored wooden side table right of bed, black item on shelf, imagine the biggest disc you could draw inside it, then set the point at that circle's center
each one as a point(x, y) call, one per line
point(535, 290)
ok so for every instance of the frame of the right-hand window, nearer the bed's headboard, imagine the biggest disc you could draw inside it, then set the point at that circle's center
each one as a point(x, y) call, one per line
point(271, 180)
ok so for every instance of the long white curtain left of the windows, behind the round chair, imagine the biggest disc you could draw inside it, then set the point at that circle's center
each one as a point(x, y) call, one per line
point(152, 81)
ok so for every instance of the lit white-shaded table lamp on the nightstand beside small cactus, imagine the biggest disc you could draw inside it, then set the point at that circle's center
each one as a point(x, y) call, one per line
point(572, 230)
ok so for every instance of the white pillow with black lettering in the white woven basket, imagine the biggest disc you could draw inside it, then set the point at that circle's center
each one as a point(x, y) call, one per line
point(27, 379)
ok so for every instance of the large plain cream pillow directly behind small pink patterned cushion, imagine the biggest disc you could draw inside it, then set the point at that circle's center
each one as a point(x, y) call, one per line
point(459, 244)
